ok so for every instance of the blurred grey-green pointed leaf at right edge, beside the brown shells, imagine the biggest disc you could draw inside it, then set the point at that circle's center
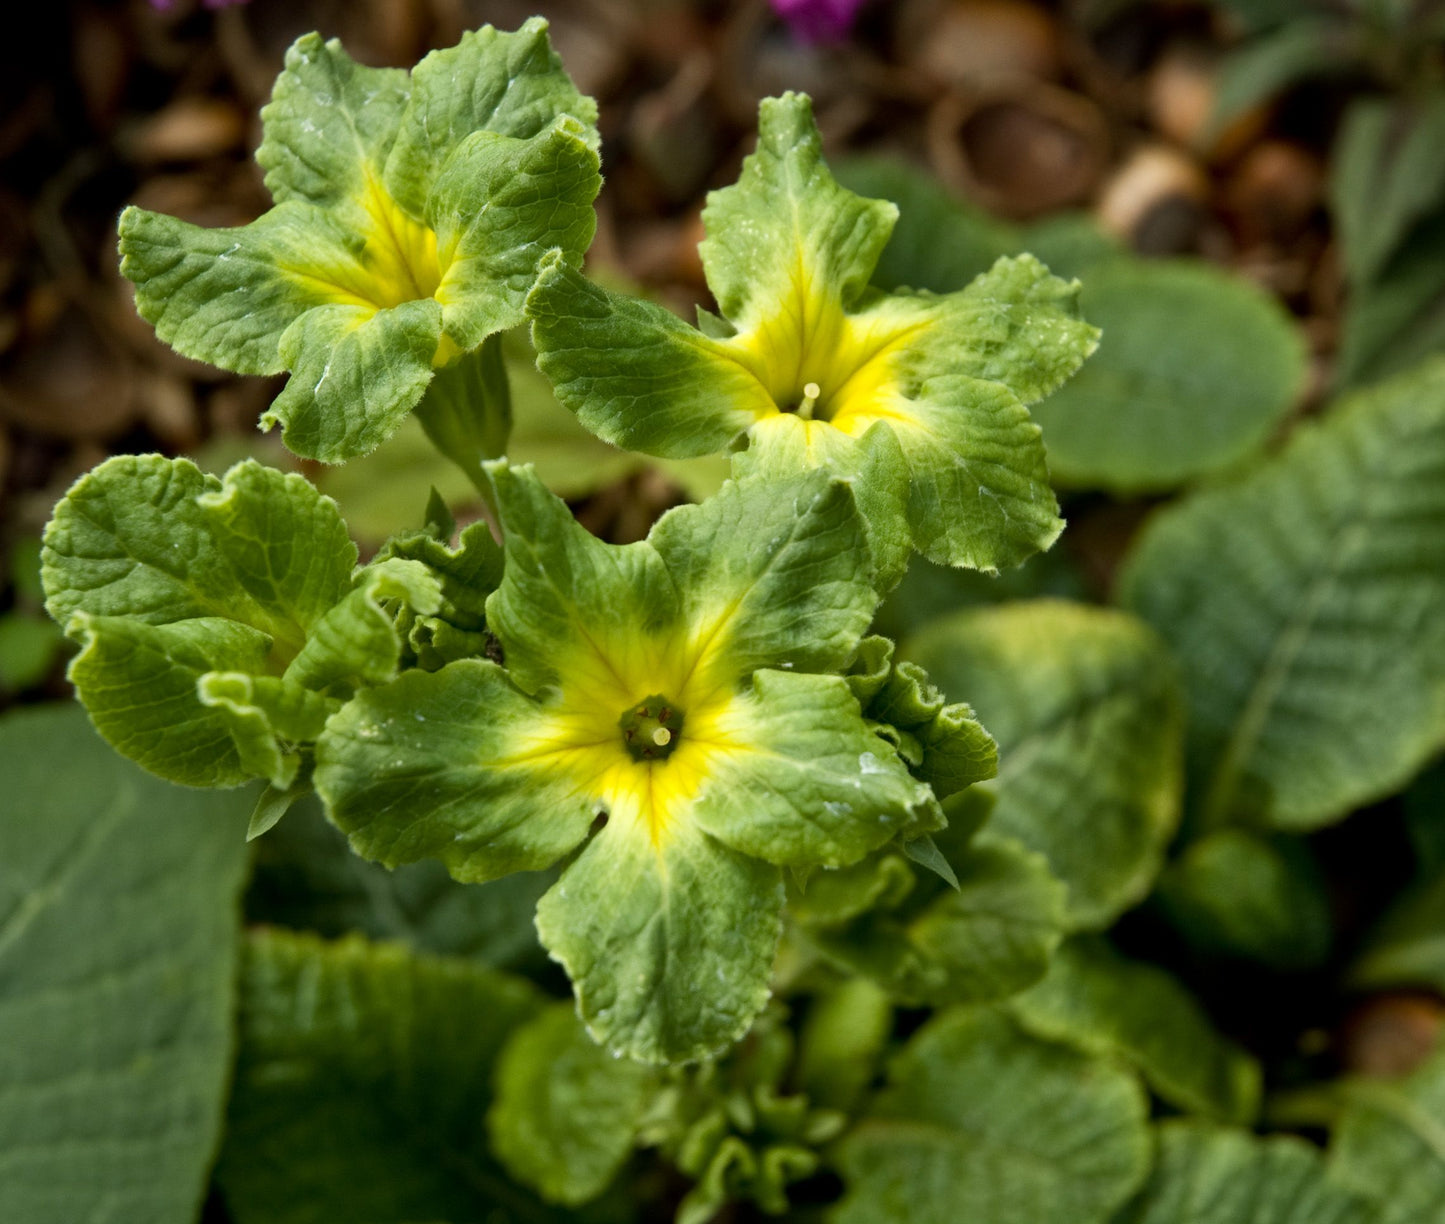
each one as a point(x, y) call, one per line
point(1388, 177)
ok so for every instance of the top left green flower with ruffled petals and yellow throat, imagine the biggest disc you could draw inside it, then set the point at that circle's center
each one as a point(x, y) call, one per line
point(411, 215)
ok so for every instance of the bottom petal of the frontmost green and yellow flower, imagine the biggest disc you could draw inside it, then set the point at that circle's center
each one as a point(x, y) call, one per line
point(670, 947)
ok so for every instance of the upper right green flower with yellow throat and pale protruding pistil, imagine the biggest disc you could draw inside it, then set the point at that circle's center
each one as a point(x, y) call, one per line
point(918, 398)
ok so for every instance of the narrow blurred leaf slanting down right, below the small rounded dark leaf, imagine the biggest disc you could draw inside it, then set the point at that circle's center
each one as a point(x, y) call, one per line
point(1102, 1004)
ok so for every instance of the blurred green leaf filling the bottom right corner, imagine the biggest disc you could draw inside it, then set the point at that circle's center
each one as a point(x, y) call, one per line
point(1389, 1147)
